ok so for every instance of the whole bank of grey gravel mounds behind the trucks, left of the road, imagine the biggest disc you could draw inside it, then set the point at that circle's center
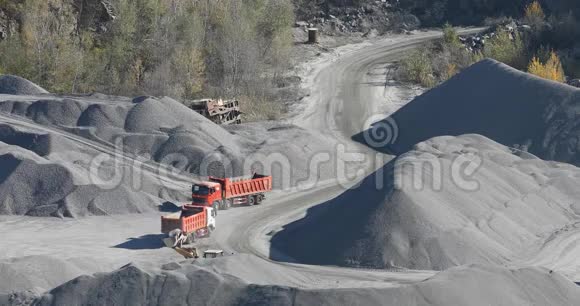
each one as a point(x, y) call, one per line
point(159, 142)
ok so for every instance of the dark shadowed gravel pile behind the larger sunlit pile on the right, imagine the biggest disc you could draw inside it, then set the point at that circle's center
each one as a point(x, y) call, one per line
point(494, 100)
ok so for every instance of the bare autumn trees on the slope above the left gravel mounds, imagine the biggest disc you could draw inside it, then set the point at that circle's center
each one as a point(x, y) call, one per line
point(178, 48)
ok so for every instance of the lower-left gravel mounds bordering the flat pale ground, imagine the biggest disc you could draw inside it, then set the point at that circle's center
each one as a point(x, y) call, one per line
point(35, 186)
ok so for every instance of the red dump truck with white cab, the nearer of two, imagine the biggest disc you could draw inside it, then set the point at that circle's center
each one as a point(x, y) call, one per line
point(190, 223)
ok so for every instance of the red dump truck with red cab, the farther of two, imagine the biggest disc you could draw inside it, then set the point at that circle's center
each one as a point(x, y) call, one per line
point(224, 193)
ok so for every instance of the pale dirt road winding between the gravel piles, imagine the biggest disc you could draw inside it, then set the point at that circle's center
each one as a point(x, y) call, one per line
point(345, 93)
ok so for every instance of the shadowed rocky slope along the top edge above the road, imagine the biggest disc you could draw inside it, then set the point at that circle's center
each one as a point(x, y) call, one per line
point(362, 14)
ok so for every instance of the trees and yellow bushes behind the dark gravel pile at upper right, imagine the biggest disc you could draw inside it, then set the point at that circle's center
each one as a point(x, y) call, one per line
point(545, 49)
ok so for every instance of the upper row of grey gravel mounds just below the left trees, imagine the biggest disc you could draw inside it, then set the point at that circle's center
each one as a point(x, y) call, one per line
point(162, 129)
